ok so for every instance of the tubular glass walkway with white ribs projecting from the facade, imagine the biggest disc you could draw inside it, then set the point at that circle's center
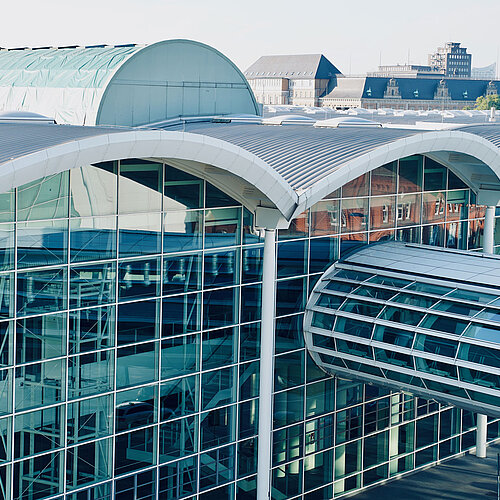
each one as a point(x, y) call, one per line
point(412, 317)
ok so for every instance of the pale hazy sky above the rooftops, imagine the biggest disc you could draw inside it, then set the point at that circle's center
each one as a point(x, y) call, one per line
point(354, 34)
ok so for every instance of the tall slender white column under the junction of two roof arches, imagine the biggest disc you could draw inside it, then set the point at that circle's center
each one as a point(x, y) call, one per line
point(266, 366)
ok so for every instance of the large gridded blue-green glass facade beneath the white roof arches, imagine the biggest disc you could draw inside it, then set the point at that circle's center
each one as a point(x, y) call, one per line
point(130, 300)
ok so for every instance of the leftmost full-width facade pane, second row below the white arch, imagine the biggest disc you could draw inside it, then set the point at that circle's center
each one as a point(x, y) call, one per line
point(42, 243)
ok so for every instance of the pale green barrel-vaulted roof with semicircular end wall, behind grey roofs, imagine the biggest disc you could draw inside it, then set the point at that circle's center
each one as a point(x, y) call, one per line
point(123, 85)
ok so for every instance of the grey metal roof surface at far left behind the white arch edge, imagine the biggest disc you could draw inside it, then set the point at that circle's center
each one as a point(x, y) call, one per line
point(21, 139)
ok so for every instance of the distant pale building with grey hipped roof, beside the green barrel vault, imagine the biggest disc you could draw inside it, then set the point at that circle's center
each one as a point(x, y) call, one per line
point(293, 79)
